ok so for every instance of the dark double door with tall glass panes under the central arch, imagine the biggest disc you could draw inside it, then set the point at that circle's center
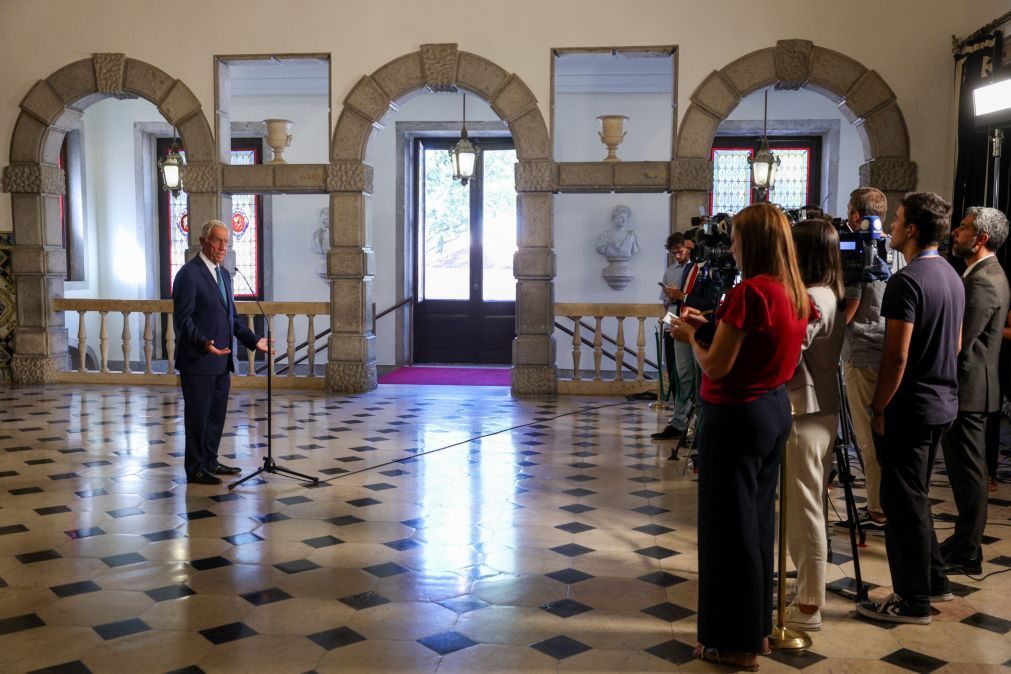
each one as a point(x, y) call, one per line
point(466, 239)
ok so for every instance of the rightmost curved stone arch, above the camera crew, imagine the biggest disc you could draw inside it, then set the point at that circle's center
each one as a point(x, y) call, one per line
point(862, 95)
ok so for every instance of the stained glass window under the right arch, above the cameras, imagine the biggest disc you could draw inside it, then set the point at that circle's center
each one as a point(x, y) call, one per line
point(794, 186)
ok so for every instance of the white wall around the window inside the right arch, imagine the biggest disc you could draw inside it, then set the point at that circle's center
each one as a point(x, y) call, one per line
point(803, 105)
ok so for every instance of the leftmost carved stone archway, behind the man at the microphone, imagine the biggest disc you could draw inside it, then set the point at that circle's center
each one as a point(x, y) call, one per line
point(36, 182)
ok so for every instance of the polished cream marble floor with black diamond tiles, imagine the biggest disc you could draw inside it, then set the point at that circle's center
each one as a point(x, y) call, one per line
point(456, 530)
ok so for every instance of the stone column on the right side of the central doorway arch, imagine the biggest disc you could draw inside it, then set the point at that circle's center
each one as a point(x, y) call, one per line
point(534, 369)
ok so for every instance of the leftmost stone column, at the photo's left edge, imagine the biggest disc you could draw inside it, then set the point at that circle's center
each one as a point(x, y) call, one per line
point(40, 267)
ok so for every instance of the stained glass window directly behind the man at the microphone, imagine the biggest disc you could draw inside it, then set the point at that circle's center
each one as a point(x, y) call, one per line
point(245, 228)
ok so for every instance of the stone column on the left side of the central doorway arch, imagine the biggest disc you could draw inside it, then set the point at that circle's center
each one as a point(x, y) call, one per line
point(351, 365)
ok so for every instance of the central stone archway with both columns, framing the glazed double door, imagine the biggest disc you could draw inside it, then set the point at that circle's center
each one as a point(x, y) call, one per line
point(351, 264)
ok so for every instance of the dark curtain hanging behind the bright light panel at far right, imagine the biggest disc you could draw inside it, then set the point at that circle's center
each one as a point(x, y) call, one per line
point(974, 176)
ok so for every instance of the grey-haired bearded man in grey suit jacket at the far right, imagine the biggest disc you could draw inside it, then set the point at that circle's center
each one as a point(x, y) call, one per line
point(981, 233)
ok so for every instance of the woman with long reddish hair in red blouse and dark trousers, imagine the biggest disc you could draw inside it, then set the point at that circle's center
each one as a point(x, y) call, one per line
point(746, 423)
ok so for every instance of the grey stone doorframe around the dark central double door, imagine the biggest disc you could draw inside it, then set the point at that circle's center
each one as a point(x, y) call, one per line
point(404, 284)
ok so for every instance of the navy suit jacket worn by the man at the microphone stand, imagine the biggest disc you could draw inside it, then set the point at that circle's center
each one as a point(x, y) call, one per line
point(202, 315)
